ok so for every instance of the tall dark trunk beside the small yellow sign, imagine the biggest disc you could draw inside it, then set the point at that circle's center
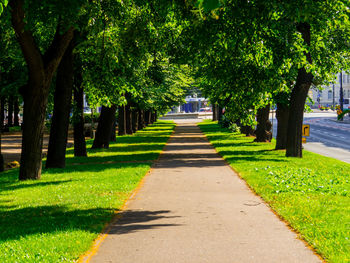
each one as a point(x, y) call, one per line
point(297, 101)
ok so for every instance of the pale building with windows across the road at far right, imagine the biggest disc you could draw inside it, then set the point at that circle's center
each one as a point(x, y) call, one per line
point(324, 97)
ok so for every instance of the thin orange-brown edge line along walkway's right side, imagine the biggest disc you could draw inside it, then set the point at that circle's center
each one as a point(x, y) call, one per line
point(285, 222)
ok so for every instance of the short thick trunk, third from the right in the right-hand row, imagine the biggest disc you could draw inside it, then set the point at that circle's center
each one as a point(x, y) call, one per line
point(263, 128)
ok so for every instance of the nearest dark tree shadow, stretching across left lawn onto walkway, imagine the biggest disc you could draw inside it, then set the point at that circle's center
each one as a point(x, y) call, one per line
point(19, 223)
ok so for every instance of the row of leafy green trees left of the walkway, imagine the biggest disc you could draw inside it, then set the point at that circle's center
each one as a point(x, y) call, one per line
point(115, 52)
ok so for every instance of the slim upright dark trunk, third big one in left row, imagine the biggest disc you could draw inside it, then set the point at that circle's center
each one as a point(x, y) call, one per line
point(78, 120)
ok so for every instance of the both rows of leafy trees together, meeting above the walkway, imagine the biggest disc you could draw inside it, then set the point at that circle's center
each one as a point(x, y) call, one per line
point(135, 57)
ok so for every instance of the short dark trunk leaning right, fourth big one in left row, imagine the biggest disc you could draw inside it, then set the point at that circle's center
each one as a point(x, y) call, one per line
point(104, 128)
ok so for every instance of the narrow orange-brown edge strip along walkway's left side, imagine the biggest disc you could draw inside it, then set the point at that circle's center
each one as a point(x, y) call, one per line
point(86, 257)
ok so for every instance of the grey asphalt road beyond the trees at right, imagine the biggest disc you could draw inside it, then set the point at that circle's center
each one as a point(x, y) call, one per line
point(327, 136)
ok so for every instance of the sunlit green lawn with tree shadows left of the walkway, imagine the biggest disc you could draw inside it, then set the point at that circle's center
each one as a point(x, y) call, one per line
point(56, 218)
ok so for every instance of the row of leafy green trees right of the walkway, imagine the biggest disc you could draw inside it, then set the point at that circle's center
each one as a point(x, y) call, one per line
point(253, 54)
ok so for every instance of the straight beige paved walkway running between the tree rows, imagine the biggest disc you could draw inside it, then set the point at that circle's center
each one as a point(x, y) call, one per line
point(194, 208)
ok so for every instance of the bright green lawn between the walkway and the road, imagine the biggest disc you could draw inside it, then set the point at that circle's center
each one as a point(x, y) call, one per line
point(311, 193)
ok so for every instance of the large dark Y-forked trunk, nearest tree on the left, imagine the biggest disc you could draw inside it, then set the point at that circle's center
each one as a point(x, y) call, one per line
point(41, 69)
